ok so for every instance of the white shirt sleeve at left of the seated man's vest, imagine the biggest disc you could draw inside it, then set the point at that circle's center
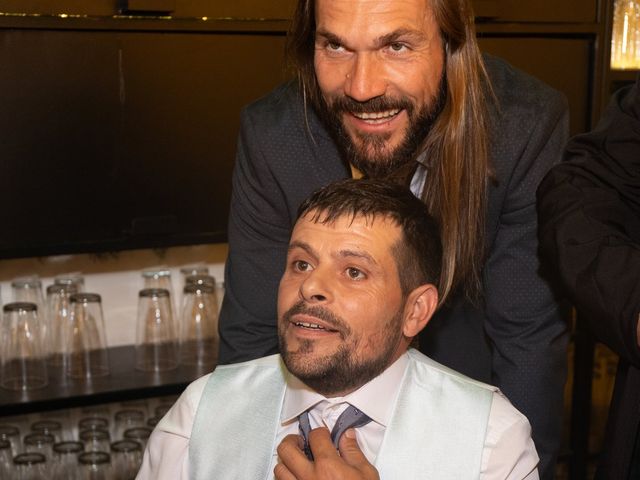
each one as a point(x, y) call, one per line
point(167, 454)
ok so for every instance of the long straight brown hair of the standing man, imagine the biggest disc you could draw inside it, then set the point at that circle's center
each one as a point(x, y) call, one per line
point(457, 150)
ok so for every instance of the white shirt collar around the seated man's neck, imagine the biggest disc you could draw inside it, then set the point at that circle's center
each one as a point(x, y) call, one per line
point(375, 398)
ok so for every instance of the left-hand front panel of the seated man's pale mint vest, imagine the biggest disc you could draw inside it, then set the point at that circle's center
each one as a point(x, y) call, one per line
point(236, 423)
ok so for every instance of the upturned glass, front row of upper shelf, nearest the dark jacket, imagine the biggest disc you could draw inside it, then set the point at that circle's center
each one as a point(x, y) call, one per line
point(199, 326)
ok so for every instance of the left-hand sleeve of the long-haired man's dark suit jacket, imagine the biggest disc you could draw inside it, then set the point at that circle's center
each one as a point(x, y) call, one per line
point(258, 238)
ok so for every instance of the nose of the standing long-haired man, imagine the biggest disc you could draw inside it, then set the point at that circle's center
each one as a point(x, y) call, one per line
point(365, 79)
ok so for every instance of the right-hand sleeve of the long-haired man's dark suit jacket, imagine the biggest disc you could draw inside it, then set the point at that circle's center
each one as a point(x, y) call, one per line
point(524, 321)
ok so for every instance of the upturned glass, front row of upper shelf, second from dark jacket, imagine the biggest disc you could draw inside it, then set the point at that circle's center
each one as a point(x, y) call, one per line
point(156, 341)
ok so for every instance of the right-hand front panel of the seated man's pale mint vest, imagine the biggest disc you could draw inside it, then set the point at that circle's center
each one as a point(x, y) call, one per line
point(437, 430)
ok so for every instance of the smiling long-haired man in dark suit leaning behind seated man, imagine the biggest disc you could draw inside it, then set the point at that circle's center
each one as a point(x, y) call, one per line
point(398, 89)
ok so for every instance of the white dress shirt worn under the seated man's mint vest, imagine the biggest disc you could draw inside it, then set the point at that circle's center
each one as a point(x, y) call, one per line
point(508, 453)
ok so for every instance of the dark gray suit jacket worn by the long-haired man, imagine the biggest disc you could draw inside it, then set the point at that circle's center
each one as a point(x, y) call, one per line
point(515, 340)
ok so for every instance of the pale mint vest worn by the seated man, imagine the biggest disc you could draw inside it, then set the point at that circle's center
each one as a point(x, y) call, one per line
point(437, 430)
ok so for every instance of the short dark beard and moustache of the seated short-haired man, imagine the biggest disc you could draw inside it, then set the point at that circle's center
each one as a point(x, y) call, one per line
point(341, 371)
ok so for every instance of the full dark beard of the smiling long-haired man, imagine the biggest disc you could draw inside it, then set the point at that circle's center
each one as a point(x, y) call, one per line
point(368, 153)
